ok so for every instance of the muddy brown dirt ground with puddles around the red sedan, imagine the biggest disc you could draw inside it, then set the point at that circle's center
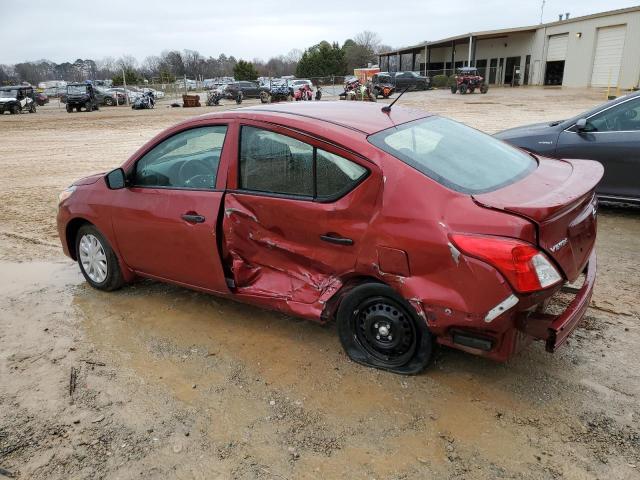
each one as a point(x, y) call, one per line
point(175, 384)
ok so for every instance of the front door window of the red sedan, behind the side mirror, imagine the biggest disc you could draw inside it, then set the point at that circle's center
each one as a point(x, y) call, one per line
point(188, 159)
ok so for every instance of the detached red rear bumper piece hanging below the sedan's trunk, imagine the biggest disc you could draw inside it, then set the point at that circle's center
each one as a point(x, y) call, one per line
point(555, 329)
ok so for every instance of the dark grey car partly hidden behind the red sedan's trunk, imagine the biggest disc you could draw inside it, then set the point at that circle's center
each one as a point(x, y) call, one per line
point(608, 133)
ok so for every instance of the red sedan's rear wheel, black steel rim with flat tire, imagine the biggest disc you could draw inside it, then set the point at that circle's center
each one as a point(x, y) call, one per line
point(369, 316)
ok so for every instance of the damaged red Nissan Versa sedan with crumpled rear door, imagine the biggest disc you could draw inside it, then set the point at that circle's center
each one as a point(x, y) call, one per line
point(406, 228)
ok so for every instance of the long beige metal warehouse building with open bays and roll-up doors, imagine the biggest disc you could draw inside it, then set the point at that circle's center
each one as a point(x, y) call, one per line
point(594, 50)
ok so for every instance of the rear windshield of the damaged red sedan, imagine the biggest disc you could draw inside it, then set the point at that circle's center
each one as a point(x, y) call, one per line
point(454, 155)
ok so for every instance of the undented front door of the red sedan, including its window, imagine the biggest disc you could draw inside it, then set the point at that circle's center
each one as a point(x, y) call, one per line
point(166, 220)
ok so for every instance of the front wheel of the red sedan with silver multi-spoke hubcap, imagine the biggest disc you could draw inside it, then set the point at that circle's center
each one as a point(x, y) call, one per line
point(98, 263)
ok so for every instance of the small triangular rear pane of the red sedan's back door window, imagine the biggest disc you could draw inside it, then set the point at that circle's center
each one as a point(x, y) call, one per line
point(335, 175)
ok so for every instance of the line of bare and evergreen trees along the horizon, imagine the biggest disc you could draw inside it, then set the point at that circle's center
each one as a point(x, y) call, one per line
point(322, 59)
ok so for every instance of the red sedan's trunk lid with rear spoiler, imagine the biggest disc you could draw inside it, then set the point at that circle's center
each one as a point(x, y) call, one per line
point(559, 197)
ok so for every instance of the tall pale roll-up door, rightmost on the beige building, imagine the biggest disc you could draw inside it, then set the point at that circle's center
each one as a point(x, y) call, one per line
point(608, 57)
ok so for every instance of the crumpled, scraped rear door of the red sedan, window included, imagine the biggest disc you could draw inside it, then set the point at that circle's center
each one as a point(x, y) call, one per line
point(294, 222)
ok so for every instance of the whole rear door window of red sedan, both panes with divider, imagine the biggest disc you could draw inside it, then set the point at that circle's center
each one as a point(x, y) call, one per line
point(275, 163)
